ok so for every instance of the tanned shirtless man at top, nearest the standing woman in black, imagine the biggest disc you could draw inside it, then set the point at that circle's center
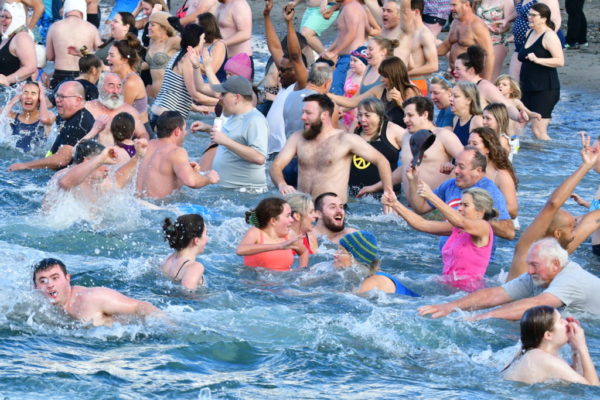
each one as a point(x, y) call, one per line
point(466, 30)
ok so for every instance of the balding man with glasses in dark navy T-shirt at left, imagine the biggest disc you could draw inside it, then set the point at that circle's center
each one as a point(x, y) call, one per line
point(74, 123)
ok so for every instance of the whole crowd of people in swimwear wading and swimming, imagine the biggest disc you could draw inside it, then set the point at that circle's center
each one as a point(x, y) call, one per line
point(351, 118)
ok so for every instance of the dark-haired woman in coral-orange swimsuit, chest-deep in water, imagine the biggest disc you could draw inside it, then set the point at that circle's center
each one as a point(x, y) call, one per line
point(271, 243)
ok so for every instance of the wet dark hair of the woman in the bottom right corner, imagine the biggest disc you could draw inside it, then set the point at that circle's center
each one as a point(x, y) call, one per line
point(534, 324)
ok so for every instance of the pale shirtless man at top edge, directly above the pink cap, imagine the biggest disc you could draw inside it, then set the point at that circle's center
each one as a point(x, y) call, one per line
point(235, 21)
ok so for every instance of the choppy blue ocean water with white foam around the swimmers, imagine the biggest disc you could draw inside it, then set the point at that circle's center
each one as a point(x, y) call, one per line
point(255, 334)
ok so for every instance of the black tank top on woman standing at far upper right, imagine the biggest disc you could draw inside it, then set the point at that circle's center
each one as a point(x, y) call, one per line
point(535, 77)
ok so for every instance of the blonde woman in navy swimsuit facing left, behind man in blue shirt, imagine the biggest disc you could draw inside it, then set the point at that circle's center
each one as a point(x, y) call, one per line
point(467, 110)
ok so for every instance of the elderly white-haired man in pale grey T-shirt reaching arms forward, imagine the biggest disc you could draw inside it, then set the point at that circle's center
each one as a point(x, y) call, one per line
point(551, 280)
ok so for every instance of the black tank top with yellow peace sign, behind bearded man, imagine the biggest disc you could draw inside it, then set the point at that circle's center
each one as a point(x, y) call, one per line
point(363, 173)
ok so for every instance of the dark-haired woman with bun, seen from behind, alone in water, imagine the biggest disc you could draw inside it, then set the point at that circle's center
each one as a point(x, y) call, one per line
point(188, 237)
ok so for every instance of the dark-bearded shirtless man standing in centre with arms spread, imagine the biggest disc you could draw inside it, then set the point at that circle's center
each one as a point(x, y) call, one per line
point(324, 154)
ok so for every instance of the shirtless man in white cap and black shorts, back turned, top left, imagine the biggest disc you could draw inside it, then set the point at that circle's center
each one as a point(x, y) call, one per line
point(61, 36)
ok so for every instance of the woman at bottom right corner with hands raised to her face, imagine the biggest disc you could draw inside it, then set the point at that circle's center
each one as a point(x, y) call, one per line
point(543, 333)
